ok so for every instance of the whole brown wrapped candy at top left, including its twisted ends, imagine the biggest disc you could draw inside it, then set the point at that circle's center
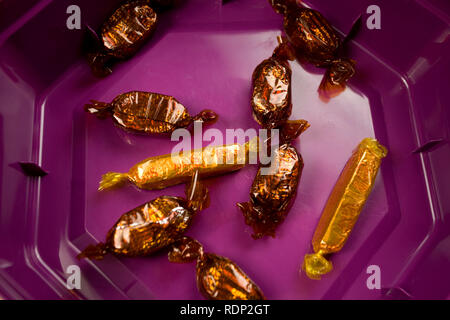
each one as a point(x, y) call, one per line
point(124, 32)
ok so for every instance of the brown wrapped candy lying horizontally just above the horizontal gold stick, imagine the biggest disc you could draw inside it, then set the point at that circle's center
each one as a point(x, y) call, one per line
point(147, 113)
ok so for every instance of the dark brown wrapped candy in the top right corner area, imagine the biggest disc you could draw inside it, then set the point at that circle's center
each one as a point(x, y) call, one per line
point(316, 41)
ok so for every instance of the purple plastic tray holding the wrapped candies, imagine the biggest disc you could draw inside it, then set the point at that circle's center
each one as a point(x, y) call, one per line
point(204, 54)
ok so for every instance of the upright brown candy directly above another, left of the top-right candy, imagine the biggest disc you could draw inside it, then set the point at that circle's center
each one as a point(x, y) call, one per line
point(271, 99)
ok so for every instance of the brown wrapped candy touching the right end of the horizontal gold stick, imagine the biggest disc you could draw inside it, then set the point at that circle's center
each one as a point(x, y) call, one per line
point(273, 192)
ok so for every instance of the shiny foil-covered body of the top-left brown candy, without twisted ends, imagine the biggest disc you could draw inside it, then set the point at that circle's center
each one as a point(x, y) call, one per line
point(129, 26)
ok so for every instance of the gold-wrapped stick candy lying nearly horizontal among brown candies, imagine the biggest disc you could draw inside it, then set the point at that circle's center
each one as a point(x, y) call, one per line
point(166, 170)
